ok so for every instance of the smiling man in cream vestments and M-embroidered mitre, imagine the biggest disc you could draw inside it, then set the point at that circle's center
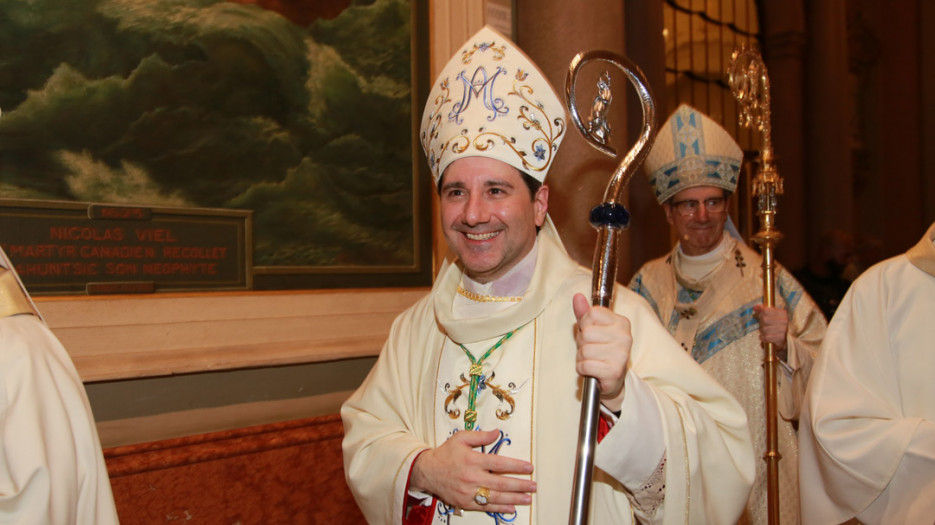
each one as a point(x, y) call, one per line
point(471, 412)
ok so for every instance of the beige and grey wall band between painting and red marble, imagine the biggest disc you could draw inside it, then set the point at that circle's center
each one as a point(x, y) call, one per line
point(180, 364)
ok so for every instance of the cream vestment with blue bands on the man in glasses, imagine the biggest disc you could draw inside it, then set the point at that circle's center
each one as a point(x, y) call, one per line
point(713, 320)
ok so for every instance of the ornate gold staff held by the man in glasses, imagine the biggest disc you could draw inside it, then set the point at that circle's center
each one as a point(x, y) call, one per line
point(749, 82)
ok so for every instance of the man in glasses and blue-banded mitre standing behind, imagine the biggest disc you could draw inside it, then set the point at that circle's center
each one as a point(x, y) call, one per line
point(708, 292)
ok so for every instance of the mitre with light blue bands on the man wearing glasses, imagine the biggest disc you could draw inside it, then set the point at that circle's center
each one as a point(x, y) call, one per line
point(692, 150)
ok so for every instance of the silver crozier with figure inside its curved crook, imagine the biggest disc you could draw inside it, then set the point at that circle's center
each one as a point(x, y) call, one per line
point(610, 218)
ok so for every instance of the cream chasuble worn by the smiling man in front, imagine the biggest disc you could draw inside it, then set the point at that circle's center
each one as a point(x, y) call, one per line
point(414, 399)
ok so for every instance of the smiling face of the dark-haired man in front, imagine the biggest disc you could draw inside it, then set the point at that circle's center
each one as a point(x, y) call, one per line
point(488, 215)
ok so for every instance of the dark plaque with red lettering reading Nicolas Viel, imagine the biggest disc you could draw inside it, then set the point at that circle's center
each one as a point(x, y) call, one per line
point(70, 247)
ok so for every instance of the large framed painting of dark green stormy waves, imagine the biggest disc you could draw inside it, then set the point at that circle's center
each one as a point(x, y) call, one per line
point(300, 113)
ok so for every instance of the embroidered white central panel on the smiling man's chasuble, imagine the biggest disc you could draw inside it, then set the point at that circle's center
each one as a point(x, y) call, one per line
point(503, 400)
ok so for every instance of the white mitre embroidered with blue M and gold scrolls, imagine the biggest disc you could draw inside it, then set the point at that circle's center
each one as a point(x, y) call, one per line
point(492, 101)
